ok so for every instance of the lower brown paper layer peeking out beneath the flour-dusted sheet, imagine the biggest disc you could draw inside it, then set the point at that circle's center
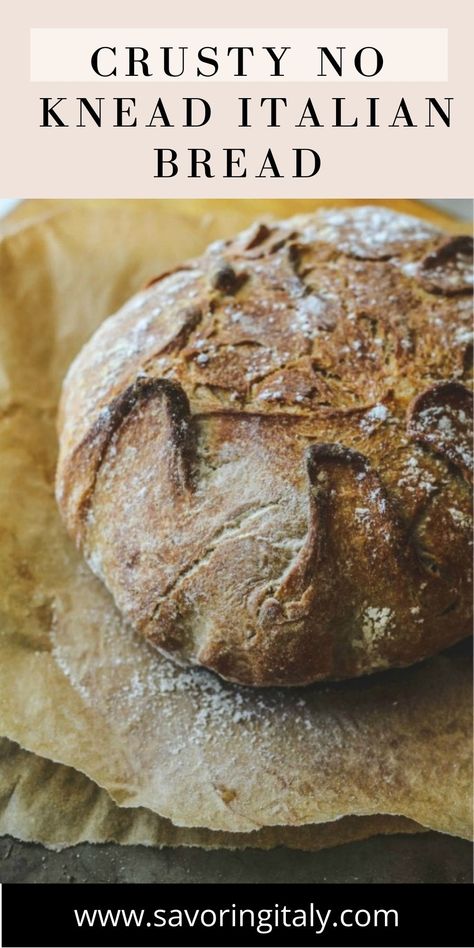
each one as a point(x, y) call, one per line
point(55, 805)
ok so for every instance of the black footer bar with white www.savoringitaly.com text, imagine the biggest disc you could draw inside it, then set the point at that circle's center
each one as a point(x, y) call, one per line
point(166, 915)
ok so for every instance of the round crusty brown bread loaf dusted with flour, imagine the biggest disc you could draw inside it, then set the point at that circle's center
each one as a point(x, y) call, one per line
point(266, 454)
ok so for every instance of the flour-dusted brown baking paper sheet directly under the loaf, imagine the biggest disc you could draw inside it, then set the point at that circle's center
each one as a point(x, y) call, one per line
point(77, 687)
